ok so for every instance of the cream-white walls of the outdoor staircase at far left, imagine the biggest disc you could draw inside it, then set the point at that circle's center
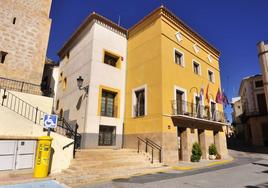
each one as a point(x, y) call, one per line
point(13, 125)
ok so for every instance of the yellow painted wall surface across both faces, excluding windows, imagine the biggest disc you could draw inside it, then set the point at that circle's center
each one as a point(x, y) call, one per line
point(151, 62)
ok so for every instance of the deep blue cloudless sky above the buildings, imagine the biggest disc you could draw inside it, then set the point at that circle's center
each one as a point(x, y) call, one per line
point(234, 27)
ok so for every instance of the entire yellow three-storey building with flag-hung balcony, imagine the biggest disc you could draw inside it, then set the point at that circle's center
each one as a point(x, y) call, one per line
point(168, 64)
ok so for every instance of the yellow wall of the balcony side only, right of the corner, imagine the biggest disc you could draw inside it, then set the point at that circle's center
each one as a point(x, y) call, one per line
point(184, 77)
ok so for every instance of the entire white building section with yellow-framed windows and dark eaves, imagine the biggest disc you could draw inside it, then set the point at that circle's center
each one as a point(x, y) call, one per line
point(96, 52)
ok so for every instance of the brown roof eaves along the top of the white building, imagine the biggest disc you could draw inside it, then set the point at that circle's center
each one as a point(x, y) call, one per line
point(80, 29)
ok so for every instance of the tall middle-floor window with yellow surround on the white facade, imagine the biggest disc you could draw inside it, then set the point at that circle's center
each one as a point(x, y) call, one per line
point(107, 103)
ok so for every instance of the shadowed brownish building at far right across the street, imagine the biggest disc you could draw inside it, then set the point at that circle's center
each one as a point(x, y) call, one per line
point(254, 116)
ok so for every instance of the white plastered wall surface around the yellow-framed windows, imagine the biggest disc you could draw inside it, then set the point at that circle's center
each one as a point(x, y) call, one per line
point(86, 60)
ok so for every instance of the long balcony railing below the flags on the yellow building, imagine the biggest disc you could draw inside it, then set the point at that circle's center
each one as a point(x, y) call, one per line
point(197, 111)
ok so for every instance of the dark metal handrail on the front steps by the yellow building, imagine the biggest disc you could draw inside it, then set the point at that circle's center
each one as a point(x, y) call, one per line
point(149, 143)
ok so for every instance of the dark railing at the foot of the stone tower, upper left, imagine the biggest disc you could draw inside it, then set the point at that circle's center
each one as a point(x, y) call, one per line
point(20, 86)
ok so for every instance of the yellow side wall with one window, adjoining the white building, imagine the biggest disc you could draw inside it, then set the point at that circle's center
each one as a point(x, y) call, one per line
point(144, 67)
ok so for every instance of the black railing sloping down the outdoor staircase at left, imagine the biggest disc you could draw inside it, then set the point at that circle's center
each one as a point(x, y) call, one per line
point(36, 115)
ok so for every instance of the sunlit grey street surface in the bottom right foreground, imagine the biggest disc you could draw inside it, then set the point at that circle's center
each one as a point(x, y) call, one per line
point(249, 169)
